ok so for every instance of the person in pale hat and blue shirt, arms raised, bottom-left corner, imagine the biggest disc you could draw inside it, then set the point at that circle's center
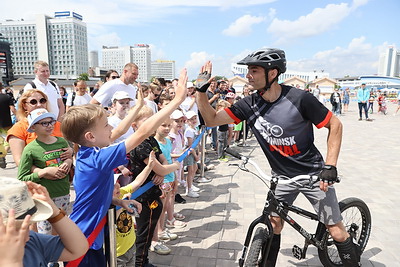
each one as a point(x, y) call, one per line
point(30, 202)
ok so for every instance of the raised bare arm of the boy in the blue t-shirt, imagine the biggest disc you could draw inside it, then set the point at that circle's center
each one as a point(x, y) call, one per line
point(154, 121)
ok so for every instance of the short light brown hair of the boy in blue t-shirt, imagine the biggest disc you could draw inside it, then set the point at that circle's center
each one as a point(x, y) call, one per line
point(80, 119)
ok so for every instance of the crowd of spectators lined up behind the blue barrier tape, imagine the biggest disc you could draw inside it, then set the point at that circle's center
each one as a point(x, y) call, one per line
point(108, 142)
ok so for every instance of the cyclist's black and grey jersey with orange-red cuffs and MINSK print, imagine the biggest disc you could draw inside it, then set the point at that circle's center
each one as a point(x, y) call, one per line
point(284, 129)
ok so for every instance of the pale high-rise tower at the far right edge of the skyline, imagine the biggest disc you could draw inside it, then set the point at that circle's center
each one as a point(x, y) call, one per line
point(389, 62)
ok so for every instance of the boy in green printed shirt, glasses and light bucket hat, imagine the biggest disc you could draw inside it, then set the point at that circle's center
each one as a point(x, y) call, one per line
point(41, 162)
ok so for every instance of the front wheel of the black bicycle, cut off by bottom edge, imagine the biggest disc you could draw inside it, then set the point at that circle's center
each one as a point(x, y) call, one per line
point(256, 247)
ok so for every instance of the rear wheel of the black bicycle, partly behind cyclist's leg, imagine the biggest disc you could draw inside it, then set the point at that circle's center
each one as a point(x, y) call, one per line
point(357, 221)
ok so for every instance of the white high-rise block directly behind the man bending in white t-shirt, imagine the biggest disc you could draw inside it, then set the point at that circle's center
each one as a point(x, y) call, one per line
point(115, 58)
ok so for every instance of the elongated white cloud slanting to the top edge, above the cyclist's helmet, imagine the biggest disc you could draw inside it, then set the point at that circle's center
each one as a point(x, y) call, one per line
point(318, 21)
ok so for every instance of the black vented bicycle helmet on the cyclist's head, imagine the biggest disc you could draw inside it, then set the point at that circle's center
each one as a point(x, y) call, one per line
point(268, 58)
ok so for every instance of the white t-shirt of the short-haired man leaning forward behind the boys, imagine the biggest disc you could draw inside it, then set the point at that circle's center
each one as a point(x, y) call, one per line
point(107, 90)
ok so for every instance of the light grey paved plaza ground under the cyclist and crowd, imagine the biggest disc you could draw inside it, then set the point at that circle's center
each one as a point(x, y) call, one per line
point(217, 221)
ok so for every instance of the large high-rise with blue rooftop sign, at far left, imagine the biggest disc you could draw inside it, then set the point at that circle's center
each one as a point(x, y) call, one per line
point(60, 40)
